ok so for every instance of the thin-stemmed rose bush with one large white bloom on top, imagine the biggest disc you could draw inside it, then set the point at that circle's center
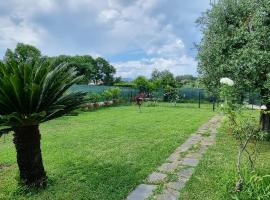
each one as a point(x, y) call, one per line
point(244, 128)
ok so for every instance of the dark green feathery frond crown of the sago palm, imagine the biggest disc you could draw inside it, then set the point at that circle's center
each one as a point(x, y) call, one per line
point(35, 92)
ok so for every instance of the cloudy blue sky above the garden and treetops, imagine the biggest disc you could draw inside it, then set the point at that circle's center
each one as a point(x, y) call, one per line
point(136, 36)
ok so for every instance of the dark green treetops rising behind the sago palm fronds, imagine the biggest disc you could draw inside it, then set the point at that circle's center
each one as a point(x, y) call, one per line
point(97, 71)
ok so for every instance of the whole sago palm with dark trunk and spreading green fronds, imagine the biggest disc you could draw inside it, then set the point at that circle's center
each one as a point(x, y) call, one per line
point(32, 93)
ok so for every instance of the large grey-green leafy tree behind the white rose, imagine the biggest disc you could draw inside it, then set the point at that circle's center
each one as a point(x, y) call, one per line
point(236, 44)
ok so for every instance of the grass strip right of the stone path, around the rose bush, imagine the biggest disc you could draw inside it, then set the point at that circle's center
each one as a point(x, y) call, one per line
point(215, 176)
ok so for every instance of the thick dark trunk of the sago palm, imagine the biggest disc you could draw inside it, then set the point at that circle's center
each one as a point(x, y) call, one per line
point(29, 159)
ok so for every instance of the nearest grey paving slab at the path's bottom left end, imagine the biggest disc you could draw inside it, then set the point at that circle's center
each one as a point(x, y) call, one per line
point(141, 192)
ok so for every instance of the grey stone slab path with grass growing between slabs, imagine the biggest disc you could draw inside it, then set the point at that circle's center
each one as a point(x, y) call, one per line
point(166, 182)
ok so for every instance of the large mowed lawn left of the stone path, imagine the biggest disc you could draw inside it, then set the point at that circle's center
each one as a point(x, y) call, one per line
point(103, 154)
